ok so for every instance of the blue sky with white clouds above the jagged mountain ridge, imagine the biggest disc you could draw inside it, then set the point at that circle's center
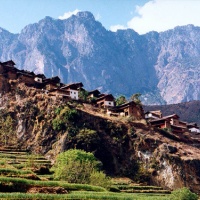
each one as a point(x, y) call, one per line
point(141, 15)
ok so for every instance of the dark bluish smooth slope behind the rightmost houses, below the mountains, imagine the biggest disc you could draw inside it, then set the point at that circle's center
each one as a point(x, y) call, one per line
point(188, 111)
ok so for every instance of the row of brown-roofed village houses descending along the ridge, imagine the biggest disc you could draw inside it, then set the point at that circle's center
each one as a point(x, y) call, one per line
point(55, 89)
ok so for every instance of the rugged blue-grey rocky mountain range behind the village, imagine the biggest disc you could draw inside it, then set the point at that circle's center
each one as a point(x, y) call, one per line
point(163, 67)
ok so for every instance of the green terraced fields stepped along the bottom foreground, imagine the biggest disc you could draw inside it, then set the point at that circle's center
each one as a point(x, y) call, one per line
point(27, 176)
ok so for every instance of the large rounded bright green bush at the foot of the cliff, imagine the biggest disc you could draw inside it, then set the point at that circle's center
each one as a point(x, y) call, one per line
point(75, 166)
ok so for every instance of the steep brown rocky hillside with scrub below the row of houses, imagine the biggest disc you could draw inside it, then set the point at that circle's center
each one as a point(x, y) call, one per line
point(46, 124)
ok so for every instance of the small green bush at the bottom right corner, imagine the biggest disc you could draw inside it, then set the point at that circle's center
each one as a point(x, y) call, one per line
point(183, 194)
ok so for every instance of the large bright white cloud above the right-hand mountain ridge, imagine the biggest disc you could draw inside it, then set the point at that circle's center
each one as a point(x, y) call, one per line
point(161, 15)
